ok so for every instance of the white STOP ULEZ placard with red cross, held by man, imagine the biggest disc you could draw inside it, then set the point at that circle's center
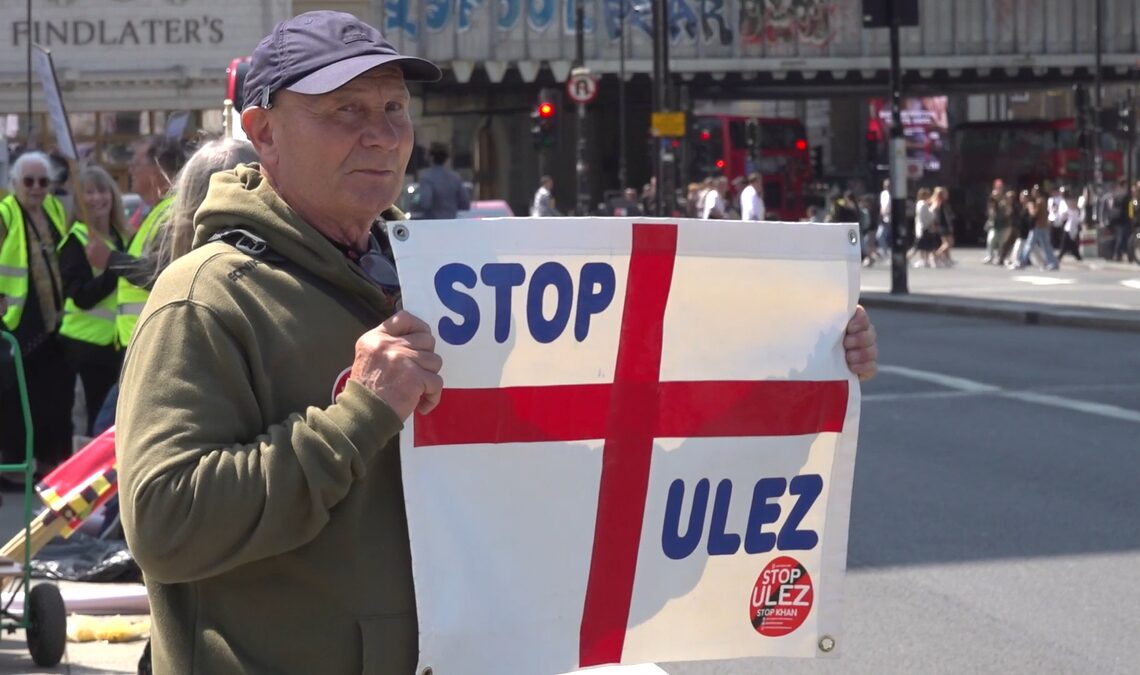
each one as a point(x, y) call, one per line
point(646, 444)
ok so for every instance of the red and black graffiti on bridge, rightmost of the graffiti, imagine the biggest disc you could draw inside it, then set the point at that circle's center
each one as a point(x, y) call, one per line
point(812, 22)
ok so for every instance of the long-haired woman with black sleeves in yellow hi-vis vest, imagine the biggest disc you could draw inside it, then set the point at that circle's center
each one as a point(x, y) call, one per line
point(88, 328)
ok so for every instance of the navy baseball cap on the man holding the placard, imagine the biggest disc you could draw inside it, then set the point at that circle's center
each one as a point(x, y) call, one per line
point(319, 52)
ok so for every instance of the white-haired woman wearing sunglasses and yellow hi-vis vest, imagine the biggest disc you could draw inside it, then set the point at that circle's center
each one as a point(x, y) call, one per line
point(32, 225)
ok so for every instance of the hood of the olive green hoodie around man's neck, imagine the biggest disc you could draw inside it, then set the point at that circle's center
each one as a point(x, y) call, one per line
point(243, 199)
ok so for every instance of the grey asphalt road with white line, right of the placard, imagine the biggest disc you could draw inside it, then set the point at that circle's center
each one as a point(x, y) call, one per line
point(996, 519)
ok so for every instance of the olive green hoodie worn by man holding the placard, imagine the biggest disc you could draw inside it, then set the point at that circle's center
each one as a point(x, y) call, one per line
point(268, 519)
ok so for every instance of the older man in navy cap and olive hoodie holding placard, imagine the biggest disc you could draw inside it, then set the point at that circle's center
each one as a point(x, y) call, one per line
point(270, 377)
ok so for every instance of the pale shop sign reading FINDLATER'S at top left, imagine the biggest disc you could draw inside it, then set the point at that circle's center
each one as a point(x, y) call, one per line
point(93, 36)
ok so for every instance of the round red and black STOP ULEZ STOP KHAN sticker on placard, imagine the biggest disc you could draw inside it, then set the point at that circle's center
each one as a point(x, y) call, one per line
point(783, 598)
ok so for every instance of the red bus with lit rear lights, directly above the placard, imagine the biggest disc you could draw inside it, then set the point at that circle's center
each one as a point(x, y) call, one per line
point(777, 148)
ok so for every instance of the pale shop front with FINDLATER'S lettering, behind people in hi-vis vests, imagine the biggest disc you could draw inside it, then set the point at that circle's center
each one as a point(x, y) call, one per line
point(125, 68)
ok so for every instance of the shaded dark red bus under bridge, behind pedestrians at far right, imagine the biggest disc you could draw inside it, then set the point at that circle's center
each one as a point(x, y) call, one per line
point(1023, 153)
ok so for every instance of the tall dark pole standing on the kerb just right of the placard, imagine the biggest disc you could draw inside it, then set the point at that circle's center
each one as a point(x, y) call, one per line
point(898, 164)
